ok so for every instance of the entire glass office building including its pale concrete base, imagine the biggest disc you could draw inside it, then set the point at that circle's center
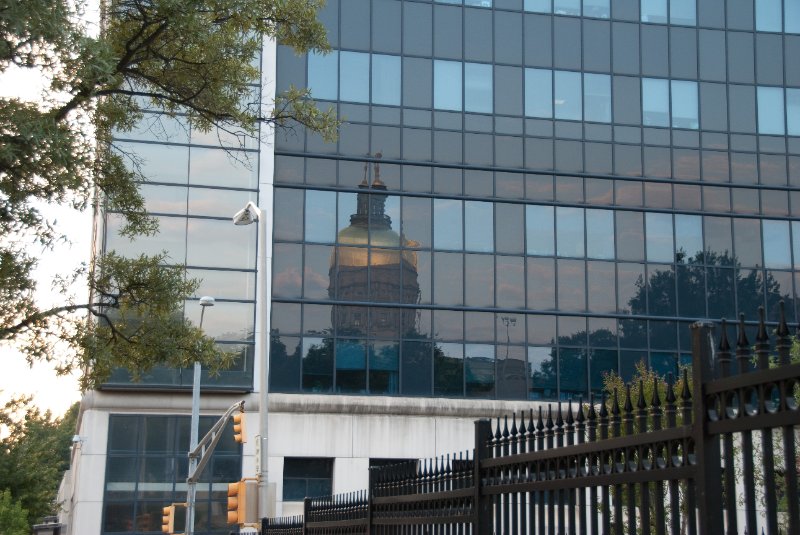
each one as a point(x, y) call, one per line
point(525, 194)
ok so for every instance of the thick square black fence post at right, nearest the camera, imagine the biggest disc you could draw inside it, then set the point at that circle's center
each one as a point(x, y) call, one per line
point(708, 473)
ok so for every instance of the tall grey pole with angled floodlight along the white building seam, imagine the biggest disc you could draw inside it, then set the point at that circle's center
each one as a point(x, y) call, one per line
point(246, 216)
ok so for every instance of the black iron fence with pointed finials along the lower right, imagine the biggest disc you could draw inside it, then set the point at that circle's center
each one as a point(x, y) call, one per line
point(715, 453)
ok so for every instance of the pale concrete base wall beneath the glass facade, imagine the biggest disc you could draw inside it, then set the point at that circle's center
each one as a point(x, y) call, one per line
point(350, 429)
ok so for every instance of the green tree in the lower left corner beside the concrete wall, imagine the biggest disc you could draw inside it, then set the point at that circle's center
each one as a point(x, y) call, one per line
point(33, 457)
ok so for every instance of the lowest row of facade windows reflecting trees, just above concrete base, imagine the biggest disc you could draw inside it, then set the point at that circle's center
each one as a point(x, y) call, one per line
point(504, 371)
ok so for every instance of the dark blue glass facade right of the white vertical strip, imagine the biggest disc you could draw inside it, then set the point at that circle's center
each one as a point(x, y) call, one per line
point(526, 195)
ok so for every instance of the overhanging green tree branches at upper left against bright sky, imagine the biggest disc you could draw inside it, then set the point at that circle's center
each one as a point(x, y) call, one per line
point(197, 59)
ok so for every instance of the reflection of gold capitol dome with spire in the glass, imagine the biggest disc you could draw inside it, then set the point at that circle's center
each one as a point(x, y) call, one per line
point(372, 262)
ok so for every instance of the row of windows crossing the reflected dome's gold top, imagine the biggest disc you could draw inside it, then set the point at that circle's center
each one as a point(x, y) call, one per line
point(450, 224)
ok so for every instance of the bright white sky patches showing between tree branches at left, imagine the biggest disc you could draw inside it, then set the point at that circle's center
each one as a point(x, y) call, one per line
point(17, 378)
